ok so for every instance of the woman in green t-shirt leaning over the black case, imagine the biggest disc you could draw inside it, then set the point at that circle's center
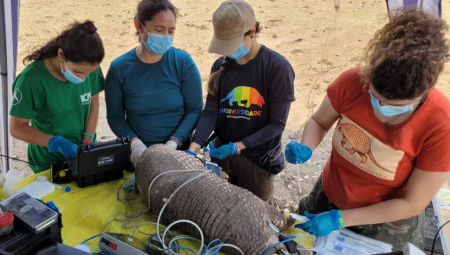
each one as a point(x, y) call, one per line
point(58, 91)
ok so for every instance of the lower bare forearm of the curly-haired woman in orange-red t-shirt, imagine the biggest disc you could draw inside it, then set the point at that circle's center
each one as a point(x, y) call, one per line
point(387, 211)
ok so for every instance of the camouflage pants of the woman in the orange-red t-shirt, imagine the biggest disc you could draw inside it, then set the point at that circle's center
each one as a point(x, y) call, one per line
point(396, 233)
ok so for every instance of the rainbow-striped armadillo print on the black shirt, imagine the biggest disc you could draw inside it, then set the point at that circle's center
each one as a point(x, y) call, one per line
point(245, 96)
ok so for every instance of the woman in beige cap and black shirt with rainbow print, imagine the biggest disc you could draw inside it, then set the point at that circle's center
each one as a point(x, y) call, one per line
point(249, 95)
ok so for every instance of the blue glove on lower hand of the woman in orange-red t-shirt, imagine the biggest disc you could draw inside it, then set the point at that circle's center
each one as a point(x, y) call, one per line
point(320, 224)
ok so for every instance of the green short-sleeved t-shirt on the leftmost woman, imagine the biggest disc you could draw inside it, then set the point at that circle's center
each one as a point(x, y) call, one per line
point(54, 107)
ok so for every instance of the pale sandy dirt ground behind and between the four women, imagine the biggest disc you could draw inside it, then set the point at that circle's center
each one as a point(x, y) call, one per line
point(318, 42)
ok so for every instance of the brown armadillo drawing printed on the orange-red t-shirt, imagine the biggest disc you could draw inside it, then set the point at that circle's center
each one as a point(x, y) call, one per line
point(360, 143)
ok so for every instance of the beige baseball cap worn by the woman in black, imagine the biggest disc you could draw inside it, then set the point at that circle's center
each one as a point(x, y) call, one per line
point(231, 21)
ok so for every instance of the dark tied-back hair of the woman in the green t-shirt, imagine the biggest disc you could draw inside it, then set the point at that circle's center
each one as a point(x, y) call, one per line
point(80, 43)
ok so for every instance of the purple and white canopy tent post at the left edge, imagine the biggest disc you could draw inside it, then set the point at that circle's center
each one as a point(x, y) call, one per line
point(9, 20)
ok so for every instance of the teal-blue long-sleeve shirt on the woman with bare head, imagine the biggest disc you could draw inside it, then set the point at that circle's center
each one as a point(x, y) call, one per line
point(153, 102)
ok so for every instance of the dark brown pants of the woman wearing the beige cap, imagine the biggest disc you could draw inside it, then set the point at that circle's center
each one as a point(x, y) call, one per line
point(244, 173)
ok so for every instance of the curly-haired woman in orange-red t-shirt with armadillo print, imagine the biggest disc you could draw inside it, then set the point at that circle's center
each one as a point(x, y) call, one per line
point(391, 145)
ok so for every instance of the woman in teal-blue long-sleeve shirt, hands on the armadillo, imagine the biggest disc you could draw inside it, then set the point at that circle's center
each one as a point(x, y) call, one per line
point(153, 92)
